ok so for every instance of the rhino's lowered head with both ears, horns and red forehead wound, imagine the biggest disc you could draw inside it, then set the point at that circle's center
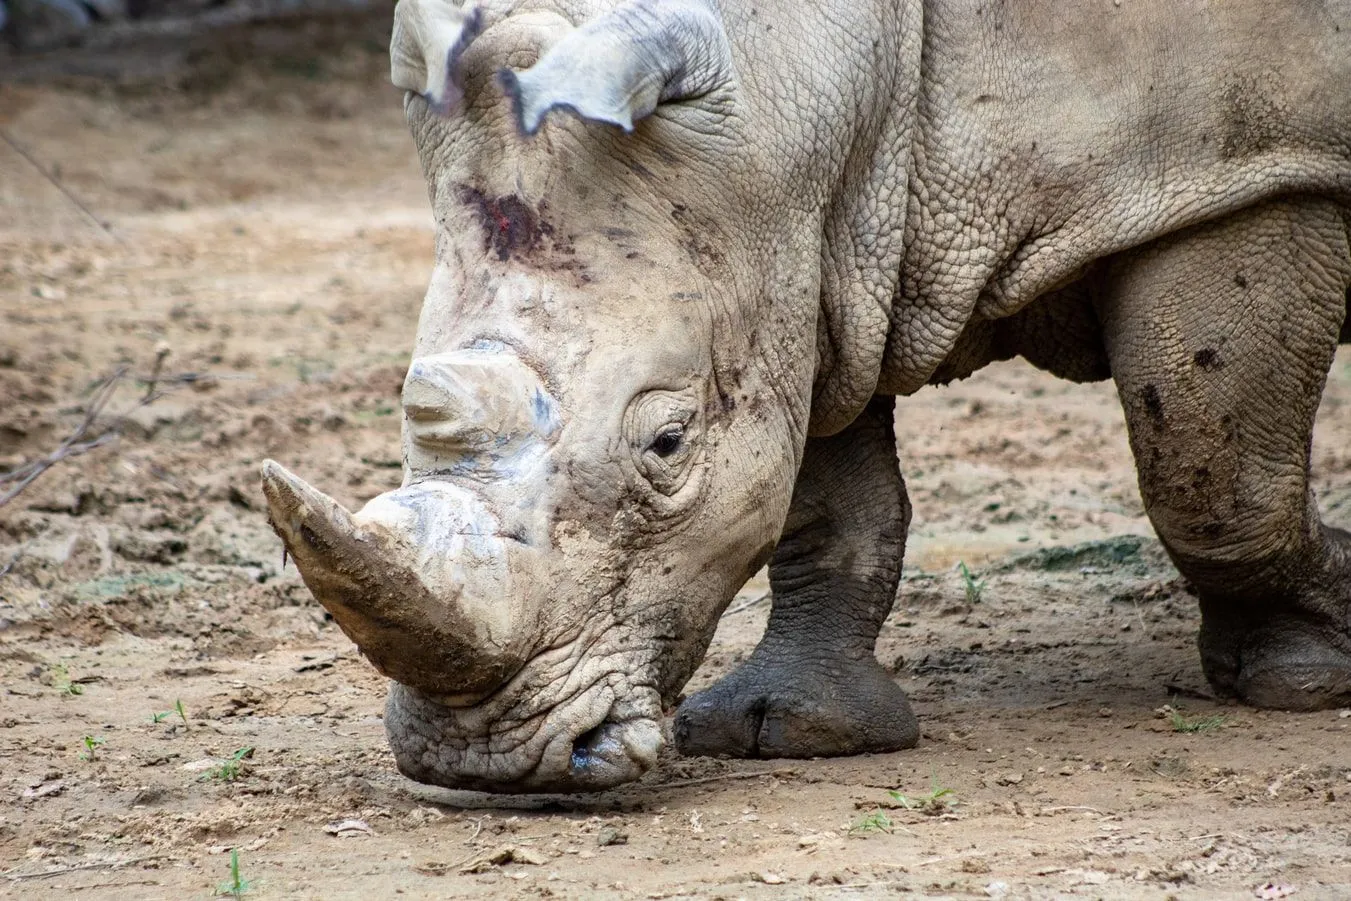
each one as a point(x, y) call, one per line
point(609, 398)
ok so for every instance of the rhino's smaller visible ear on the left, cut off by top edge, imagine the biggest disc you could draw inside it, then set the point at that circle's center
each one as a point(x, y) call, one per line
point(426, 45)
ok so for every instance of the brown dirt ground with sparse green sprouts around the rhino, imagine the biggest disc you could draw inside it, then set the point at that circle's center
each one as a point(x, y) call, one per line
point(268, 226)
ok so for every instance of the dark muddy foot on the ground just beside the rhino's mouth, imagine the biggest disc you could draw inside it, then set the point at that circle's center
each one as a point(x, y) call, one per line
point(802, 710)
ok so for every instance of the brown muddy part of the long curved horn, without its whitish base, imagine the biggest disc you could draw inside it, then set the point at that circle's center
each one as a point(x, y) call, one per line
point(363, 577)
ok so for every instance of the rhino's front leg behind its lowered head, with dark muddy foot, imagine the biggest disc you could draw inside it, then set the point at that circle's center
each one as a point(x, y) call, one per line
point(813, 687)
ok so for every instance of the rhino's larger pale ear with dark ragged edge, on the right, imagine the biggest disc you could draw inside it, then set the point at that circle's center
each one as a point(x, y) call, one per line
point(619, 67)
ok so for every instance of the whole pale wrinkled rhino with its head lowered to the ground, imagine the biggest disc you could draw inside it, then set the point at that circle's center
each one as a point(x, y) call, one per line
point(686, 256)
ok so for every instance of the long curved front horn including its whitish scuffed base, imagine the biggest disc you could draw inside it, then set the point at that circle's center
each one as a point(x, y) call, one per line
point(397, 579)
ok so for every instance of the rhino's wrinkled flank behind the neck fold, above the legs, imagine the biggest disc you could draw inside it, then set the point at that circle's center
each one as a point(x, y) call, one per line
point(1053, 134)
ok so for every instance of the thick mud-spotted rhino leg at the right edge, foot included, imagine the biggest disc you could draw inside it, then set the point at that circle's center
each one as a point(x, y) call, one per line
point(1221, 341)
